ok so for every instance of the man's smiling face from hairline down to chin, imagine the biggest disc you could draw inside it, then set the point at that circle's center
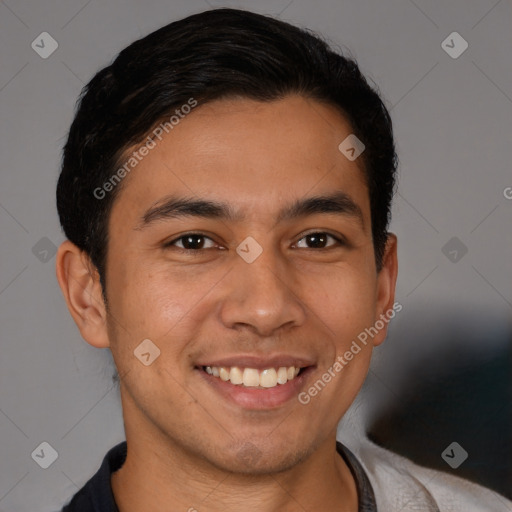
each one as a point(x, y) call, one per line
point(219, 255)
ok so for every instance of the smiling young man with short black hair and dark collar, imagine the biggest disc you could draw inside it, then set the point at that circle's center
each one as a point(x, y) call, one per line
point(225, 192)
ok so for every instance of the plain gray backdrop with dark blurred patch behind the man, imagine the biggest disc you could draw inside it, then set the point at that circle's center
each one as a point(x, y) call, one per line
point(453, 128)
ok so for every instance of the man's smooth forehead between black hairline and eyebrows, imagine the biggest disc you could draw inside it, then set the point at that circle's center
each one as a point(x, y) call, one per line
point(254, 155)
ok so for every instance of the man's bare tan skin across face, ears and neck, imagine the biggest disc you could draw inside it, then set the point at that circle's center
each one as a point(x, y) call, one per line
point(186, 445)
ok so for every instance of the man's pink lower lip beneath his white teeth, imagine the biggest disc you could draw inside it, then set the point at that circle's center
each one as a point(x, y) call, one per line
point(257, 398)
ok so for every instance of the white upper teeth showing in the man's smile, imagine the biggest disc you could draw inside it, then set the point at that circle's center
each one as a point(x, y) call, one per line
point(251, 377)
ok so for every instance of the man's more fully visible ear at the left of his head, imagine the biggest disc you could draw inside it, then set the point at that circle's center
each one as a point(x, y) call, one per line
point(80, 284)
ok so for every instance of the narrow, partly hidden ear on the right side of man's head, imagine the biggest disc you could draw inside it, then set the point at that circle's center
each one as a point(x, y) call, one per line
point(386, 308)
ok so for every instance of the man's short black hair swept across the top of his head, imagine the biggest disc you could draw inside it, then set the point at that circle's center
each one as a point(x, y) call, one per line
point(220, 53)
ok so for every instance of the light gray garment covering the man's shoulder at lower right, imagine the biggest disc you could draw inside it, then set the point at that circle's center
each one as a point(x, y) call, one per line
point(400, 484)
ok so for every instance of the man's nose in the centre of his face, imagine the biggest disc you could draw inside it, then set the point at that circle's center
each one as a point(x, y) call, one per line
point(262, 296)
